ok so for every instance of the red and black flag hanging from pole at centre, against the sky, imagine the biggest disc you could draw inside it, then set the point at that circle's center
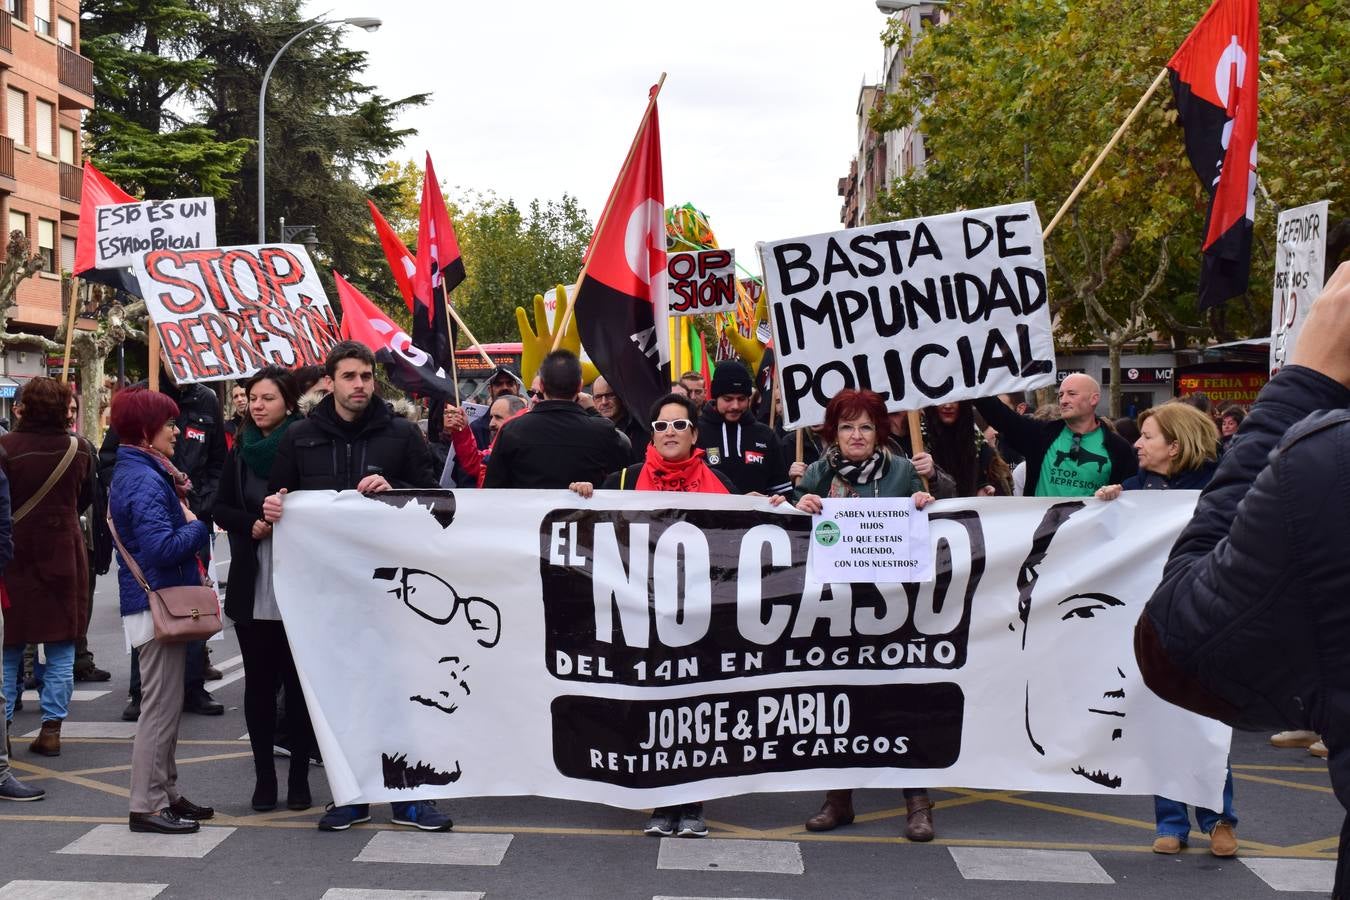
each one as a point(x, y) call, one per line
point(622, 295)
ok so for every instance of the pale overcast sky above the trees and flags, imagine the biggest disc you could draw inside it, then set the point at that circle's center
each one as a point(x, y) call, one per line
point(537, 99)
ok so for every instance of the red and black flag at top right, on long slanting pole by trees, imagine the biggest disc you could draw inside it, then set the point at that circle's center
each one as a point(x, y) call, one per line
point(1214, 82)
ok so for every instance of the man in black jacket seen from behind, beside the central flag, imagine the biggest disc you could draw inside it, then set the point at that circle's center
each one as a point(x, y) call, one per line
point(557, 443)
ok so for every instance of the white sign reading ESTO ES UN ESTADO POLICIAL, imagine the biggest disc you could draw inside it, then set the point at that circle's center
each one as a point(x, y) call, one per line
point(125, 233)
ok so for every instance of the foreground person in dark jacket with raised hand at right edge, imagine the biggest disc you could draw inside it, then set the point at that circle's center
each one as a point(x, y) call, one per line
point(1252, 623)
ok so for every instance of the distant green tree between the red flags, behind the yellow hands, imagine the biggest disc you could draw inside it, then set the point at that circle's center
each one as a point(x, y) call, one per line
point(514, 254)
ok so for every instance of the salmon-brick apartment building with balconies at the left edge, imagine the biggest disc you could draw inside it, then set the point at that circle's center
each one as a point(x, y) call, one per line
point(47, 88)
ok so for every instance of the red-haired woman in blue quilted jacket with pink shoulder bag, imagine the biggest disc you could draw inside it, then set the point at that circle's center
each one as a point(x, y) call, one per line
point(148, 504)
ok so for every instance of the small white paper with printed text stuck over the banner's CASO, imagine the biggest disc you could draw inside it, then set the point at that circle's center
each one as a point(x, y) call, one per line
point(871, 540)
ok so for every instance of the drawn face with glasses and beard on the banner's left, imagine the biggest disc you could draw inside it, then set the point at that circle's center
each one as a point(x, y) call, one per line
point(441, 681)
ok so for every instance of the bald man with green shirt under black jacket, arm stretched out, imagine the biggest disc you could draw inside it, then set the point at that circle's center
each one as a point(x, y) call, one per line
point(1070, 458)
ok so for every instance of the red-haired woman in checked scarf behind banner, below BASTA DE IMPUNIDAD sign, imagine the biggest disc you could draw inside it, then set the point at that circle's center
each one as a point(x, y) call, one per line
point(858, 462)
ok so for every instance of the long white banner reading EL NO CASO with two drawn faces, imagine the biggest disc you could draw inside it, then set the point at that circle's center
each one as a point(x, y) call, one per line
point(643, 650)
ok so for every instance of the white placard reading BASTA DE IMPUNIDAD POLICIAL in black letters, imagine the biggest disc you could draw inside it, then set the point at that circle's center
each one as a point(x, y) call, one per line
point(924, 311)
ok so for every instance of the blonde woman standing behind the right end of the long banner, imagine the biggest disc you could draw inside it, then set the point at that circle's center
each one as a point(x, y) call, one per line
point(1178, 447)
